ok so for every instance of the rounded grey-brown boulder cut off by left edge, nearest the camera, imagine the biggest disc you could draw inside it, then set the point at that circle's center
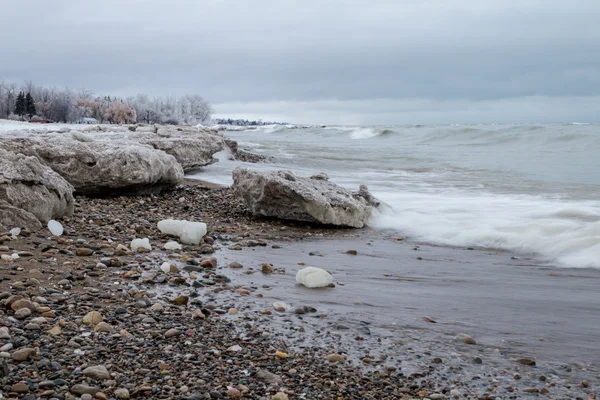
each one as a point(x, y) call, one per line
point(31, 194)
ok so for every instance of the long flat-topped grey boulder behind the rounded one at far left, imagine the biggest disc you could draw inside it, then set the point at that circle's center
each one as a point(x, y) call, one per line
point(103, 167)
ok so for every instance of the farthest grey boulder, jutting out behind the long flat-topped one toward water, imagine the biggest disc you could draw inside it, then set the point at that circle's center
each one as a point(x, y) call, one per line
point(191, 152)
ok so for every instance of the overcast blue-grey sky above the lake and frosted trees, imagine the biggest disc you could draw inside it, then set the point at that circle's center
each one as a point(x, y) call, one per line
point(321, 62)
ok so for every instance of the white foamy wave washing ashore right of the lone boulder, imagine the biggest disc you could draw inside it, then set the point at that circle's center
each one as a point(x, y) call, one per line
point(567, 233)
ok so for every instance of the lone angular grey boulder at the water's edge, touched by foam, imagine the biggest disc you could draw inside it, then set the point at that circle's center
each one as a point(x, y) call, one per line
point(282, 194)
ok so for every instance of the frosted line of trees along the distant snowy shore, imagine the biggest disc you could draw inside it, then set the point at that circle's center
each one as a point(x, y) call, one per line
point(65, 105)
